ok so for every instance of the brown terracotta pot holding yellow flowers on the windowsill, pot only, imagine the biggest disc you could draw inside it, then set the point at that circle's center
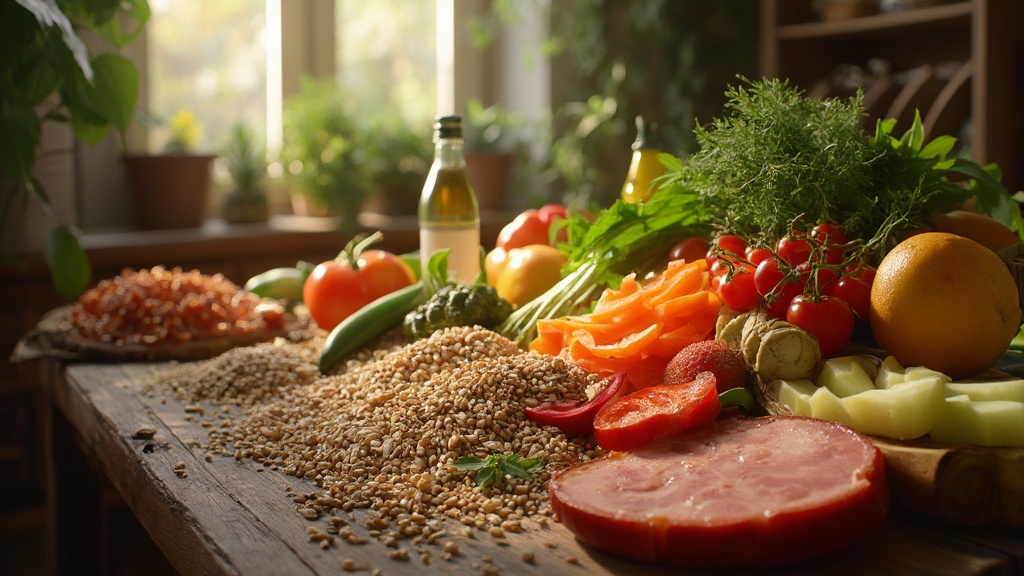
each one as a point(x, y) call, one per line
point(169, 191)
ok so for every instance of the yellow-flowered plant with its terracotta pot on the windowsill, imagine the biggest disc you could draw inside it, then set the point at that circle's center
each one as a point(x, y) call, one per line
point(170, 190)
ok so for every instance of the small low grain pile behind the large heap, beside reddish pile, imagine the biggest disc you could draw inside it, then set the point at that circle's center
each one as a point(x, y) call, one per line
point(243, 377)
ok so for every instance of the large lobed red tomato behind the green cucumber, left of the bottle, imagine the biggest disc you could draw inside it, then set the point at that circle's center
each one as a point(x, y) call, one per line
point(337, 289)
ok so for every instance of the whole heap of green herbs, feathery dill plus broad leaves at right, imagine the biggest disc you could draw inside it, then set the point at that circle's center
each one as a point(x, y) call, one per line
point(780, 160)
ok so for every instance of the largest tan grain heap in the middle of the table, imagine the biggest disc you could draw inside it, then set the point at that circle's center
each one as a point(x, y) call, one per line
point(386, 434)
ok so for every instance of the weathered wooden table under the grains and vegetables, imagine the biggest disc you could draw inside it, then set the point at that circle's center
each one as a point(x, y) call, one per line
point(223, 516)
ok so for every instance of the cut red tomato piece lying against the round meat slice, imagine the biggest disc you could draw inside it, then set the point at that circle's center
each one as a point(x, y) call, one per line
point(656, 413)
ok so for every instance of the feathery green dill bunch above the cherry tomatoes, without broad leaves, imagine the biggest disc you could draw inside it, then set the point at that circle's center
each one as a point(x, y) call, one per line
point(778, 155)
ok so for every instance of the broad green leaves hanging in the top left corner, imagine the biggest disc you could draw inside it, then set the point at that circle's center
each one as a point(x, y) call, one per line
point(50, 75)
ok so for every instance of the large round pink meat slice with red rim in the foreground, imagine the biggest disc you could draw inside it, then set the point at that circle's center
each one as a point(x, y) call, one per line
point(744, 492)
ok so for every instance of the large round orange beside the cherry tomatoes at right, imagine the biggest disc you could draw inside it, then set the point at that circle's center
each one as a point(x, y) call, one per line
point(947, 303)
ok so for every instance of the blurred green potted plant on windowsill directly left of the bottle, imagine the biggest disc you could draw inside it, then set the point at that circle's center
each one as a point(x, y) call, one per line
point(399, 158)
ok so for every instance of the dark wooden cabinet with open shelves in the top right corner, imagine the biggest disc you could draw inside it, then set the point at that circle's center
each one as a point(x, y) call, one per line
point(960, 64)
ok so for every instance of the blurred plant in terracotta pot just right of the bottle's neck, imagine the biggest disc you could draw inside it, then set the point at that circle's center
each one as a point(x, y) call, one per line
point(491, 136)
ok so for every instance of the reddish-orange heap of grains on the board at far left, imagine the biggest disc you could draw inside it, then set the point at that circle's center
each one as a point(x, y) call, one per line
point(161, 306)
